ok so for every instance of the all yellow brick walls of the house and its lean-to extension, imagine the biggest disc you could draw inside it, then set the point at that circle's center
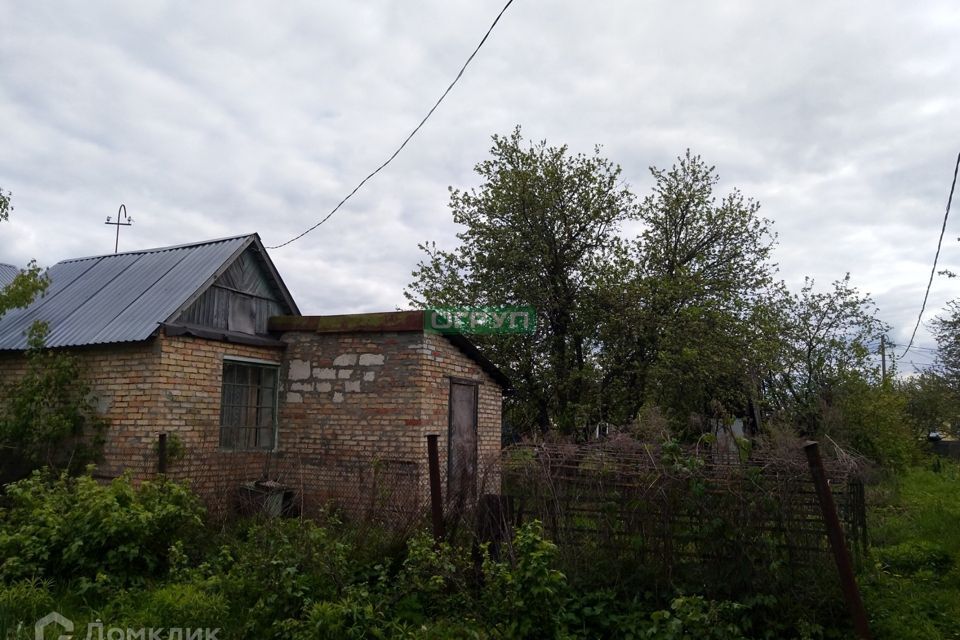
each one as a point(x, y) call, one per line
point(354, 412)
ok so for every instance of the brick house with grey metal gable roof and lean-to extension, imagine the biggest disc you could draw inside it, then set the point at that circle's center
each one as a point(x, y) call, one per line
point(204, 343)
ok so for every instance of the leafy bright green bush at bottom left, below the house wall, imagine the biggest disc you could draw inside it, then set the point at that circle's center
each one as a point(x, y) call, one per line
point(99, 535)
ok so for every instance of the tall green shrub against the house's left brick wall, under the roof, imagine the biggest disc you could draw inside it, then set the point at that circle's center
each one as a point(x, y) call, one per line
point(48, 418)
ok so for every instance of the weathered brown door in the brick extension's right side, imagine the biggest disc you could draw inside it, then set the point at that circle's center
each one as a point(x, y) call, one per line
point(462, 452)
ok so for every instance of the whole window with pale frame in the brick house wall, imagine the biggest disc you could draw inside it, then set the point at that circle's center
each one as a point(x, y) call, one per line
point(248, 406)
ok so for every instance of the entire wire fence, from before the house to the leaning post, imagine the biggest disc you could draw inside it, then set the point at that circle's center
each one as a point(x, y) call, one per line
point(619, 510)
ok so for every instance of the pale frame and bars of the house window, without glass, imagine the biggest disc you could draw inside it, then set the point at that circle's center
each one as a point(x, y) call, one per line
point(240, 431)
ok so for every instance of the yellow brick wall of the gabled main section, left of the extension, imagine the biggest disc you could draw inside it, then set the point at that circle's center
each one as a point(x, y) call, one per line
point(166, 384)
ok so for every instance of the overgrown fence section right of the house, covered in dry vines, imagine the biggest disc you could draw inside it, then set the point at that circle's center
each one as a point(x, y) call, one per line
point(624, 510)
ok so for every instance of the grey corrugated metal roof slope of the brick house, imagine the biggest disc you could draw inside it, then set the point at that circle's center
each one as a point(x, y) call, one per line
point(119, 297)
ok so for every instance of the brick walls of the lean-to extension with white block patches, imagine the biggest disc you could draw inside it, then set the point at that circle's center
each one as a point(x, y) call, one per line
point(356, 410)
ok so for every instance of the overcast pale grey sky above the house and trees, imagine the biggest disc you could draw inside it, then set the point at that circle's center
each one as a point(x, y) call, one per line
point(216, 119)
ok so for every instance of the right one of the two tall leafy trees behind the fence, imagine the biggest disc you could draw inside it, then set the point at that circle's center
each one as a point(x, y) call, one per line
point(687, 309)
